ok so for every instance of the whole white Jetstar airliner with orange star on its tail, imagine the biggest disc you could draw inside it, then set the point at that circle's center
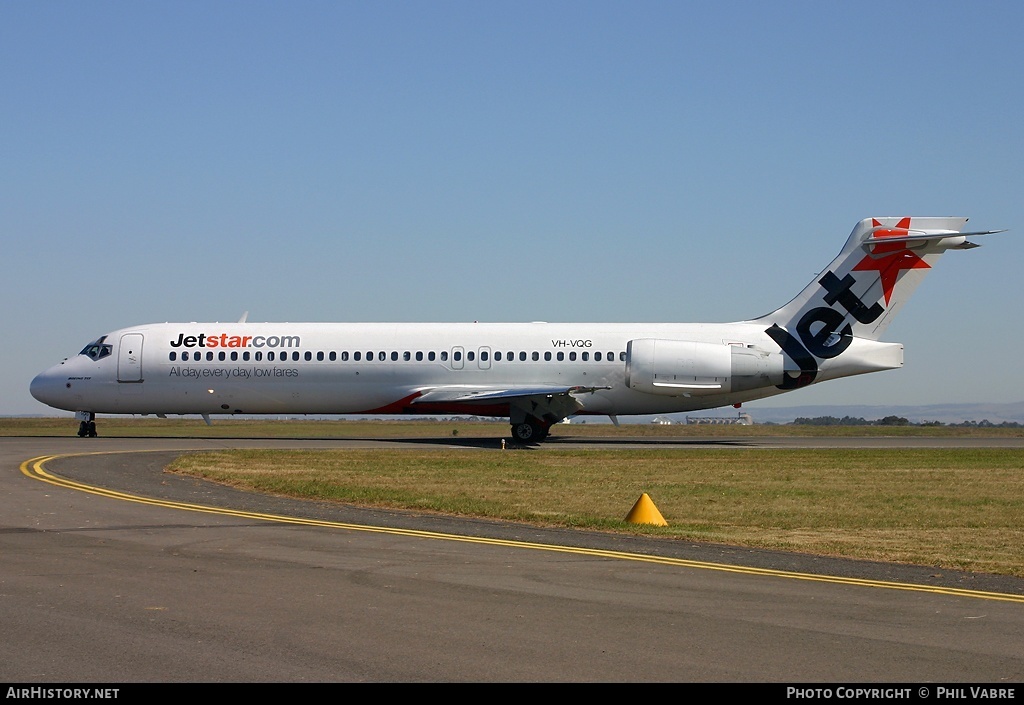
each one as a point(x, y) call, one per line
point(535, 375)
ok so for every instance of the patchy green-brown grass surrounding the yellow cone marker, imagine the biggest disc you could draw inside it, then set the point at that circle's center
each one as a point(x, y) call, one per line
point(948, 508)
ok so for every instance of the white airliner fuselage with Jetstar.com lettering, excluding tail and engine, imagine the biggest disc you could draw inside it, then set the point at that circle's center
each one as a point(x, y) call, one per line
point(374, 368)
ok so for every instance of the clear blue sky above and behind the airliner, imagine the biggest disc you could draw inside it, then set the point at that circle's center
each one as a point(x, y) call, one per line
point(505, 161)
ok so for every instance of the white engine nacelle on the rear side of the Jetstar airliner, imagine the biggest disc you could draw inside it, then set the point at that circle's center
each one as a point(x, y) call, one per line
point(687, 368)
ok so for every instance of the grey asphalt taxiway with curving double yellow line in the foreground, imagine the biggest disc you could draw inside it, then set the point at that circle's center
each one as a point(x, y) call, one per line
point(113, 571)
